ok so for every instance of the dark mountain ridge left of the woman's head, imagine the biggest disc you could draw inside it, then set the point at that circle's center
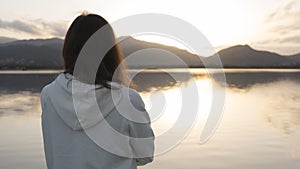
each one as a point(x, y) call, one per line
point(31, 54)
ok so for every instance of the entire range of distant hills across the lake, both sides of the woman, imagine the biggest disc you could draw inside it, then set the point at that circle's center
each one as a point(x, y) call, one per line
point(46, 54)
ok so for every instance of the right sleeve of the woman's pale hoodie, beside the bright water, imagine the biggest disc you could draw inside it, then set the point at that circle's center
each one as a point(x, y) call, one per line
point(141, 134)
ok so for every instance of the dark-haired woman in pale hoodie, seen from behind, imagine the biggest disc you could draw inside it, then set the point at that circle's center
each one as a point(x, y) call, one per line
point(77, 136)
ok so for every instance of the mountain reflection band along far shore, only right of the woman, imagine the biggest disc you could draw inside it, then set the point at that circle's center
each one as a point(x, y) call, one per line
point(243, 81)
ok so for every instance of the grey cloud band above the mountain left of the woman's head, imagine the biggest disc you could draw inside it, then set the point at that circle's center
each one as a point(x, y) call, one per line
point(37, 27)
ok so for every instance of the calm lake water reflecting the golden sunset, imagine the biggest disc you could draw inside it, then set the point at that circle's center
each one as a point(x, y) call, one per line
point(260, 127)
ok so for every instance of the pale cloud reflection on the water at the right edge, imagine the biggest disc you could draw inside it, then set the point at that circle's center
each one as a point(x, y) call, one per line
point(282, 110)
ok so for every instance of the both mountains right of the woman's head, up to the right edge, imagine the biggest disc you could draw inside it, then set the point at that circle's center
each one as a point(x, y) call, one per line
point(239, 56)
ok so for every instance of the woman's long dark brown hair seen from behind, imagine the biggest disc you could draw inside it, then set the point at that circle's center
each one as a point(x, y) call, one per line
point(82, 28)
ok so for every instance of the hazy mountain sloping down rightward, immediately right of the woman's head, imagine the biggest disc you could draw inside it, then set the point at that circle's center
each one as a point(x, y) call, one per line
point(141, 54)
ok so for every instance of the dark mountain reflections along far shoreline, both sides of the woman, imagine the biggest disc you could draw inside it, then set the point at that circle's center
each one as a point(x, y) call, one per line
point(149, 80)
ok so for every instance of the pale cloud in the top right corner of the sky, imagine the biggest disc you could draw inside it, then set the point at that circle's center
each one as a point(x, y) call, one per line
point(282, 29)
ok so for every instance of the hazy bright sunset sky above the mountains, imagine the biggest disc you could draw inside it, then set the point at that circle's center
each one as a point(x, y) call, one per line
point(264, 24)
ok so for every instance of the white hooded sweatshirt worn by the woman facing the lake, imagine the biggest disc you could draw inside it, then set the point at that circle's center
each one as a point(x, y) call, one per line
point(77, 136)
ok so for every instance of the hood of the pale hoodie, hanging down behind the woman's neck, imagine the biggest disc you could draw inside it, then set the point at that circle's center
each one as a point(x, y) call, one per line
point(82, 105)
